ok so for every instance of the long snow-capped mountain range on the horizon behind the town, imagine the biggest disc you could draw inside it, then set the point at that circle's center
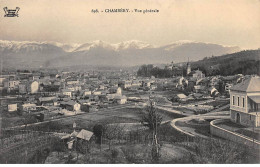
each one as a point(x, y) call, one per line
point(100, 53)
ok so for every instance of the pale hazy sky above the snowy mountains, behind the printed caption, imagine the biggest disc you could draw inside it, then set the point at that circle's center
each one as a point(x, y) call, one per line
point(226, 22)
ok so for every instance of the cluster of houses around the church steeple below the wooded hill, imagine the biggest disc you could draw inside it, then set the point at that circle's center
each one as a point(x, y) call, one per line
point(195, 85)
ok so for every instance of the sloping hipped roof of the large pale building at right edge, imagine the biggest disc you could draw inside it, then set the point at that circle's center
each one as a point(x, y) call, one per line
point(249, 85)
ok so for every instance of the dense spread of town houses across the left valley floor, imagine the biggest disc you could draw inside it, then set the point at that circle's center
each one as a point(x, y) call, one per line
point(73, 91)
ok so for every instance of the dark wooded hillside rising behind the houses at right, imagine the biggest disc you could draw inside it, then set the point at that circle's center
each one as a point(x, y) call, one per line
point(244, 62)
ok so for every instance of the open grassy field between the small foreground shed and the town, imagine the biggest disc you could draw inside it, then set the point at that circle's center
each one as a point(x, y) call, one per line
point(89, 120)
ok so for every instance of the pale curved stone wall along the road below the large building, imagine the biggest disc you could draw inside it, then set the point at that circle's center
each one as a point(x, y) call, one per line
point(232, 136)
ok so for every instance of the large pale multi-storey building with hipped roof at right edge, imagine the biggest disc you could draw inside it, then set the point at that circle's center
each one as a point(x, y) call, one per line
point(245, 101)
